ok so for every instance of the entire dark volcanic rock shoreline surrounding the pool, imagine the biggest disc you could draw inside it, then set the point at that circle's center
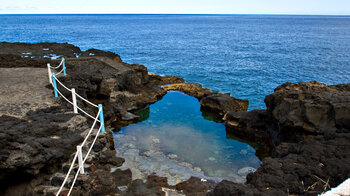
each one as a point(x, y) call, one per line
point(303, 134)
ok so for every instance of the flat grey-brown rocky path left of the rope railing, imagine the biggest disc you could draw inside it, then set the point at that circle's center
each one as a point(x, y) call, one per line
point(24, 89)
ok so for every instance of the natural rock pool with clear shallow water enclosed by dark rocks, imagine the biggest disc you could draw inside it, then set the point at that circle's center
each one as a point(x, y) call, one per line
point(174, 140)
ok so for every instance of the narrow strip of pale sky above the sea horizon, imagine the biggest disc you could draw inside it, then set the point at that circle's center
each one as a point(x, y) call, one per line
point(312, 7)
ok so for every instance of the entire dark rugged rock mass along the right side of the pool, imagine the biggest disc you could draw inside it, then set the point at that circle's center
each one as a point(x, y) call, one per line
point(310, 149)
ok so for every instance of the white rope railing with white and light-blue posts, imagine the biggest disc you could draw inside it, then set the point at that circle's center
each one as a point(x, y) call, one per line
point(99, 118)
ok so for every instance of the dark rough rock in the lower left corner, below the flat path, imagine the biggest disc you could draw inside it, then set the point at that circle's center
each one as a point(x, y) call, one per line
point(36, 144)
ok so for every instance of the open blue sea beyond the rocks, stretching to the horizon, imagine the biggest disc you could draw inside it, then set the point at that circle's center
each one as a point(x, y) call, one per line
point(245, 55)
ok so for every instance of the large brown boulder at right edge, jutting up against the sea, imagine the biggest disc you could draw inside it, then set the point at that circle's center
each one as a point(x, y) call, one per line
point(310, 106)
